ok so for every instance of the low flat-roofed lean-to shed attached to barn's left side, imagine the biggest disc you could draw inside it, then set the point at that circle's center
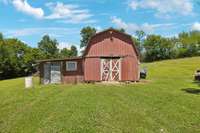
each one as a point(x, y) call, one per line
point(68, 70)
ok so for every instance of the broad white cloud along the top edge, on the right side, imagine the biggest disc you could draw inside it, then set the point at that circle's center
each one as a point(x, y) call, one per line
point(164, 7)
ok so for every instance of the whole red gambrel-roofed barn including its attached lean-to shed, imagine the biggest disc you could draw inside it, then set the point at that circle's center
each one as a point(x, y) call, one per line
point(109, 56)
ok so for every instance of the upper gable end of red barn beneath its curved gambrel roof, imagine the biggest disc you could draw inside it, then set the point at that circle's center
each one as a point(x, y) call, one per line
point(121, 44)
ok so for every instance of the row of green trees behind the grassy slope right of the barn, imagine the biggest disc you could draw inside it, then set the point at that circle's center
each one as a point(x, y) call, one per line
point(156, 47)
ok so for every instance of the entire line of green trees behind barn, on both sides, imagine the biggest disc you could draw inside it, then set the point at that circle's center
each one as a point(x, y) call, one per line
point(19, 59)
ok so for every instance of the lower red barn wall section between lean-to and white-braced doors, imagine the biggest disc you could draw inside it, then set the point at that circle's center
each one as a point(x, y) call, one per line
point(92, 70)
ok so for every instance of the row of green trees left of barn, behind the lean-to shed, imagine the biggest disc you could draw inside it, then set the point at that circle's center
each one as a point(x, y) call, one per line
point(19, 59)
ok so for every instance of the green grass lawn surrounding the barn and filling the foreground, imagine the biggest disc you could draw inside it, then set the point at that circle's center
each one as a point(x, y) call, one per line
point(168, 101)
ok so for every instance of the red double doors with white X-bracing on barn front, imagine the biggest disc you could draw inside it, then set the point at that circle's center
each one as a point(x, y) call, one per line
point(110, 69)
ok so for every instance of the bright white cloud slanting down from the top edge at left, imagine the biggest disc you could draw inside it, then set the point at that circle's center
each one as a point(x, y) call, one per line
point(25, 7)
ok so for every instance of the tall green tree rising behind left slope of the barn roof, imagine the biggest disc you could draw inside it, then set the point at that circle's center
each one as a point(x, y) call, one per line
point(86, 34)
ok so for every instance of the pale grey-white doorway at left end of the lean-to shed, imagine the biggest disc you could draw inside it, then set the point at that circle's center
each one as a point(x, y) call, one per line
point(52, 72)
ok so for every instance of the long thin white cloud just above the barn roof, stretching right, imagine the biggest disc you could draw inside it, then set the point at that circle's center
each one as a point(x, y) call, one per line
point(132, 27)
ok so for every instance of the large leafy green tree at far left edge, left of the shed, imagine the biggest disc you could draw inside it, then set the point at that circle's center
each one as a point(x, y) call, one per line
point(16, 59)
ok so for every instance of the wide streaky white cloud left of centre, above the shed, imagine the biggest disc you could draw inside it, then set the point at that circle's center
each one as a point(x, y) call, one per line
point(68, 13)
